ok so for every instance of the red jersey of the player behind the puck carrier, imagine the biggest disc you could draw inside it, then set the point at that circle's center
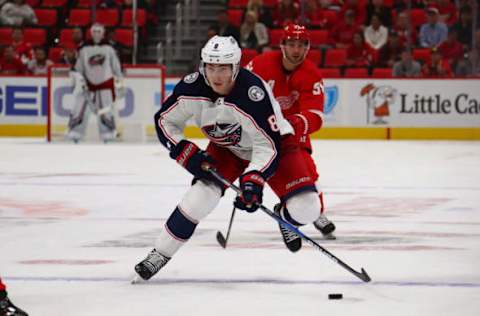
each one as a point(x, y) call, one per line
point(299, 92)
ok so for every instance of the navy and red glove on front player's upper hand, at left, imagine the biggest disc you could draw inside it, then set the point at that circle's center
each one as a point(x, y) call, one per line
point(192, 158)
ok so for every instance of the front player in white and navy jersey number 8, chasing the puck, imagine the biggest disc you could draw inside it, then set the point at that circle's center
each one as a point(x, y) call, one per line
point(236, 111)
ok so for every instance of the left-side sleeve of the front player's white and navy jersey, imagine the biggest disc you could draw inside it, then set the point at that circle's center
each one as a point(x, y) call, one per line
point(172, 117)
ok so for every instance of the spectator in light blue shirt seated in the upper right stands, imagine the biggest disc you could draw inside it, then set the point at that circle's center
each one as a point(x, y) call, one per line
point(432, 33)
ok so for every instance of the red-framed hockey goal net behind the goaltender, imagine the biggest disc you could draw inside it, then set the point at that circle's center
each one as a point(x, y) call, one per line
point(144, 91)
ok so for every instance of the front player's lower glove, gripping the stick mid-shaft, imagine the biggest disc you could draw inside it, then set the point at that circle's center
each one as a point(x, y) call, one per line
point(251, 184)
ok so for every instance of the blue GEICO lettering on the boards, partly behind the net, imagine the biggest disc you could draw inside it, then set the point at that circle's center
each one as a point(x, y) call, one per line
point(23, 100)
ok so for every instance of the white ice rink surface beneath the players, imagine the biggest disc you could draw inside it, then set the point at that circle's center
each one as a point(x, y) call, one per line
point(75, 219)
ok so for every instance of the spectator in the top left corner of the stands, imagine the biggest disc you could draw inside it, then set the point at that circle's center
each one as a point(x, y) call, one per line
point(17, 13)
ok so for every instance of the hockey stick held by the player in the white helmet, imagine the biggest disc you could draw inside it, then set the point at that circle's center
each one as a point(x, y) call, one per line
point(361, 275)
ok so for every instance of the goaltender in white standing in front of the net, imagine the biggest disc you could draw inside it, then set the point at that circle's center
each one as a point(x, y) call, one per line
point(96, 71)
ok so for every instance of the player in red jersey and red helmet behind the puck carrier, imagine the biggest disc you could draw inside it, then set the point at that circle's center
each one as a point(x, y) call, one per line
point(298, 86)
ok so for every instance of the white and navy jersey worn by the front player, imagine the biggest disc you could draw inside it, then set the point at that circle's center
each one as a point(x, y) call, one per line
point(248, 121)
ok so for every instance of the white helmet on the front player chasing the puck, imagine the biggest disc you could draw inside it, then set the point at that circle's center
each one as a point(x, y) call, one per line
point(221, 50)
